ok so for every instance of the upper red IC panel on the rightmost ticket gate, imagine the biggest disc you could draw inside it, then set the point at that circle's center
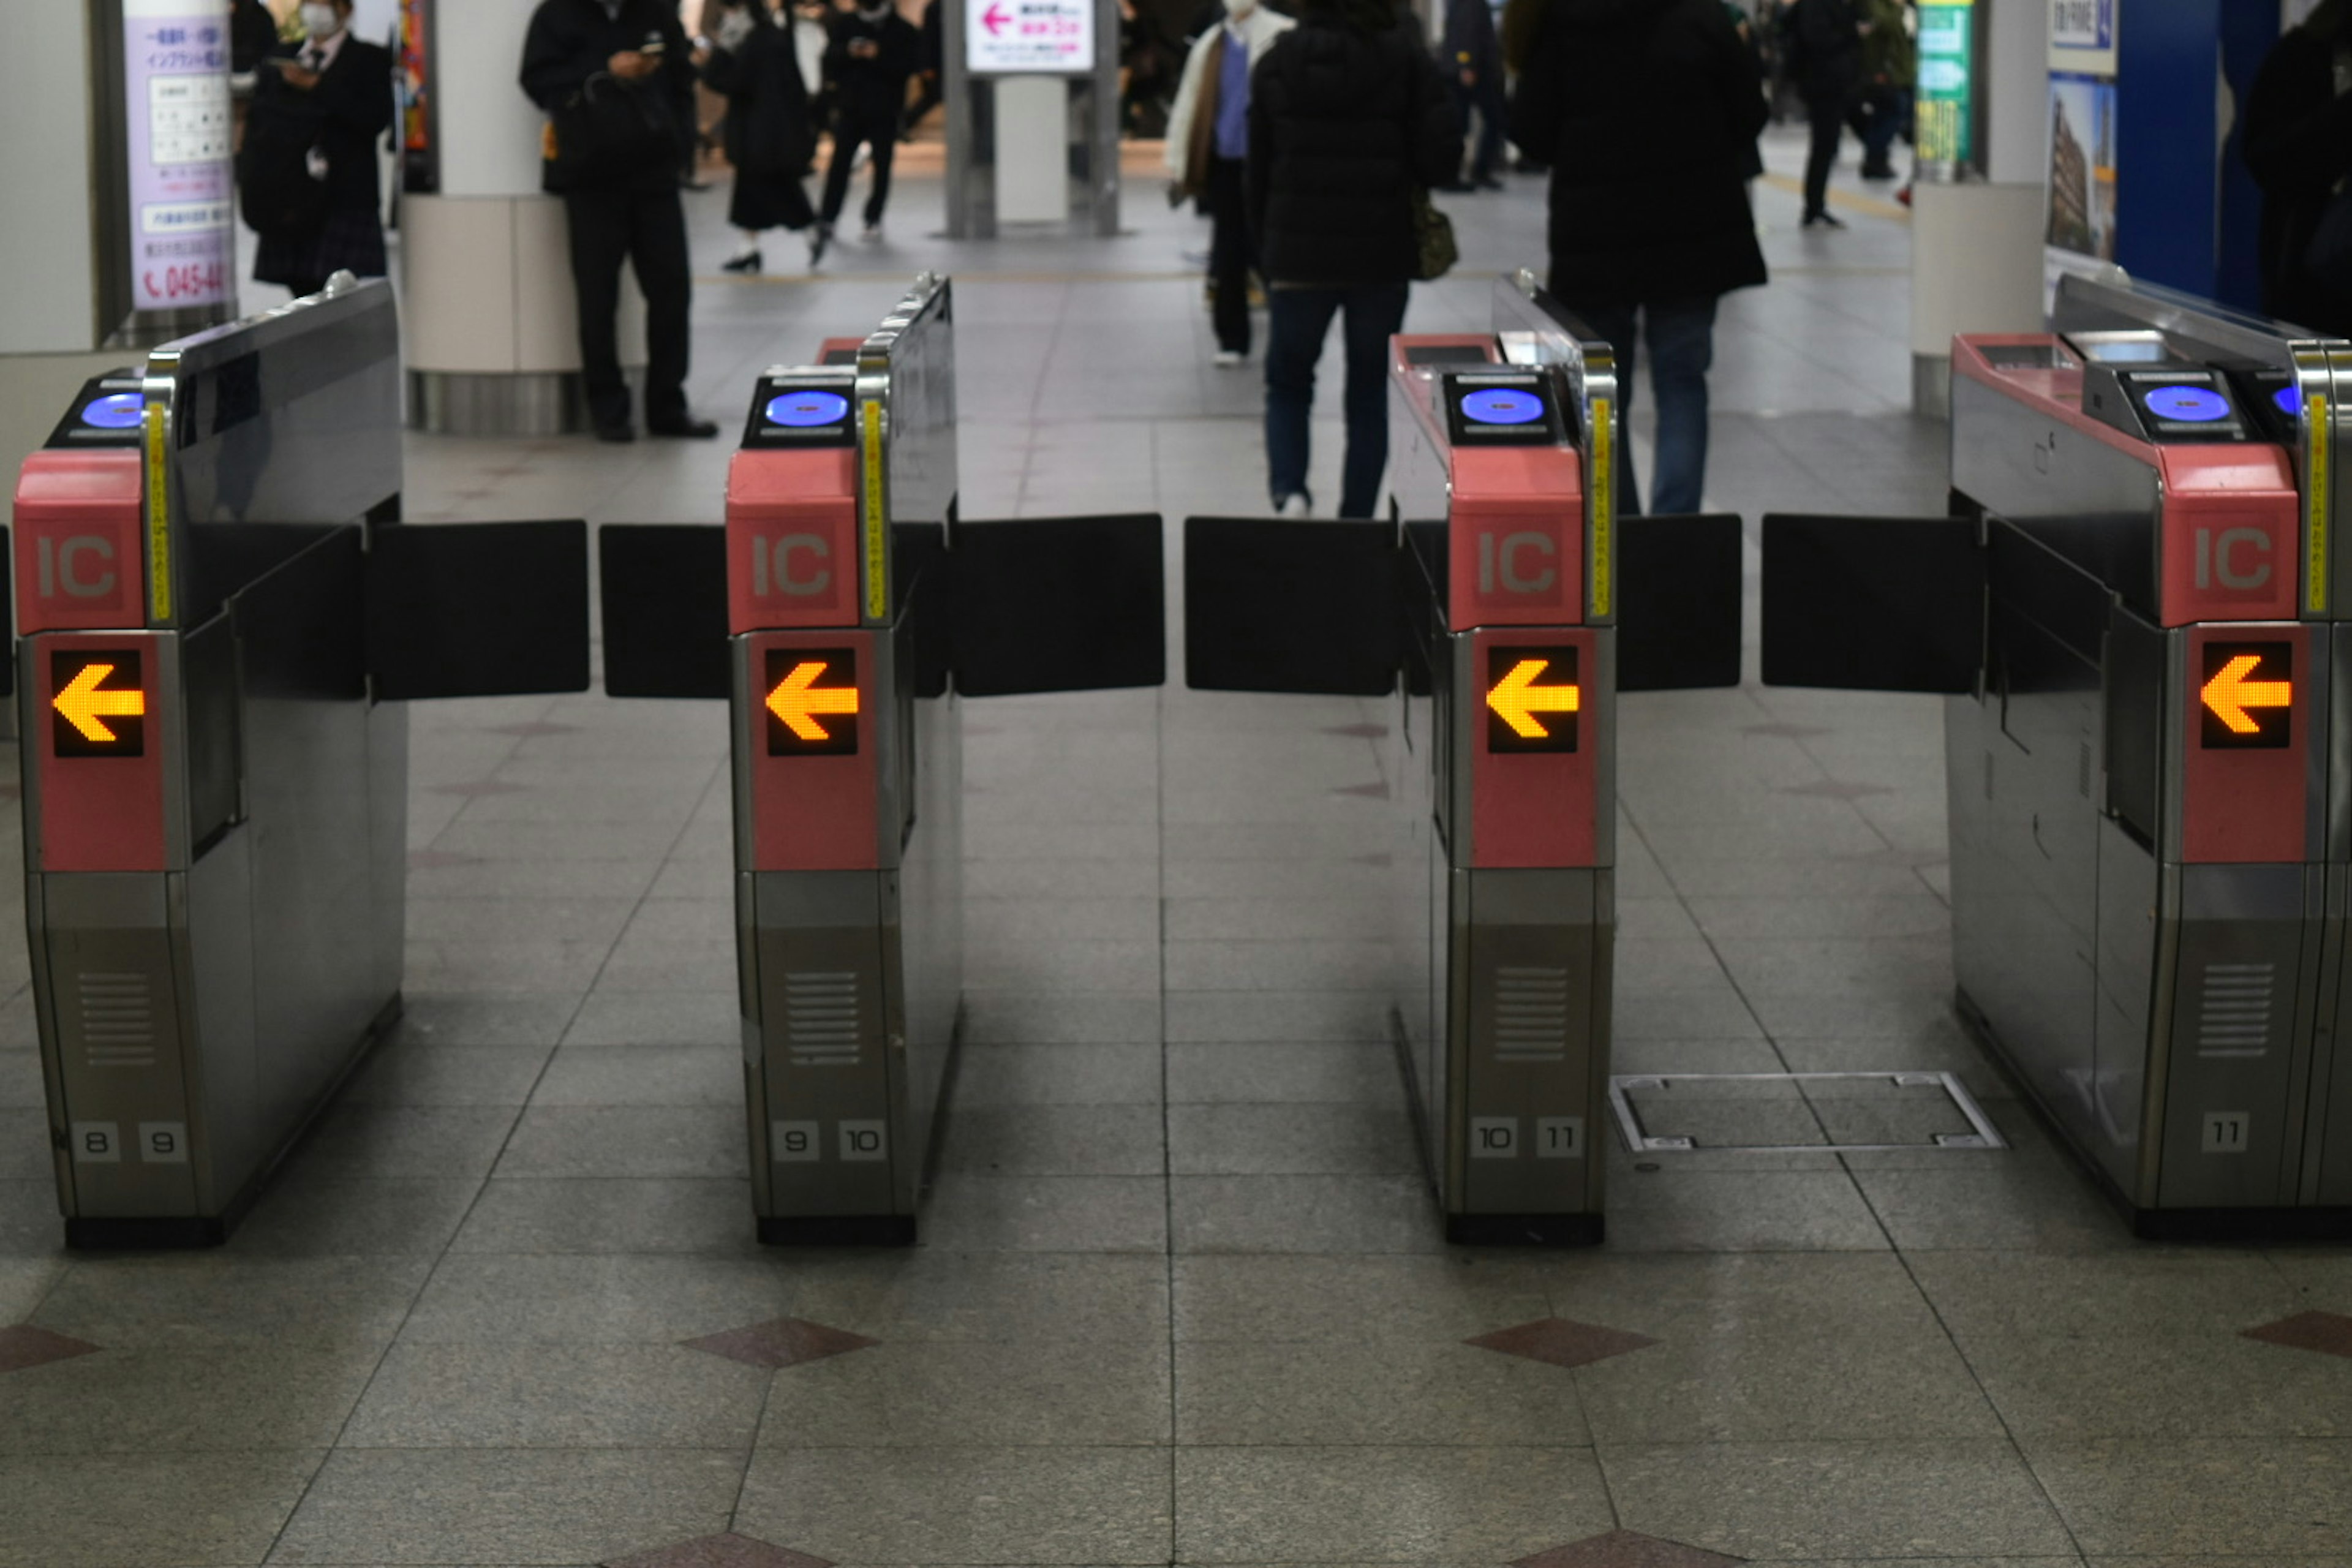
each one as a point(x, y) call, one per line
point(2233, 530)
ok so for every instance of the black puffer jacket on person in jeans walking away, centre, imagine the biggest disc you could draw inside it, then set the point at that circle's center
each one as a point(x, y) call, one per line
point(1344, 126)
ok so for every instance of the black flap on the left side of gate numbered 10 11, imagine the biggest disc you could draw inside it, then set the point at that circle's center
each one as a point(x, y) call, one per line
point(1290, 605)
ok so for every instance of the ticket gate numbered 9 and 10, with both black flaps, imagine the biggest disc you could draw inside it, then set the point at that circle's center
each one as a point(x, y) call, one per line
point(846, 612)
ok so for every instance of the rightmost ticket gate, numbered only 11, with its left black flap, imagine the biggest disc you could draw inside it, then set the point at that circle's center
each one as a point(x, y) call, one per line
point(2132, 612)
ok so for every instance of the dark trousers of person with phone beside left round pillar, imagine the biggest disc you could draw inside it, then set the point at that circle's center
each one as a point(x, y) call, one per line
point(646, 227)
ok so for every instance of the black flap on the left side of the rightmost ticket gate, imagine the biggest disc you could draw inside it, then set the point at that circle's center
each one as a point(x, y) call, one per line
point(1873, 603)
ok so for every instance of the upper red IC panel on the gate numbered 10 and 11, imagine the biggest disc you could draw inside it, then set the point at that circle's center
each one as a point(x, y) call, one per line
point(1518, 537)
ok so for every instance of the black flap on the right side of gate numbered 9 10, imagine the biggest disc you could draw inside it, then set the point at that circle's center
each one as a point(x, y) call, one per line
point(1060, 605)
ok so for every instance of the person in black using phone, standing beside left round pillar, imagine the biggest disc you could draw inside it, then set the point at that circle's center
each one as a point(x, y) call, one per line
point(606, 72)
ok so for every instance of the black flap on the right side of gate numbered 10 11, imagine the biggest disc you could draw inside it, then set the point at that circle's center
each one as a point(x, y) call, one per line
point(1681, 605)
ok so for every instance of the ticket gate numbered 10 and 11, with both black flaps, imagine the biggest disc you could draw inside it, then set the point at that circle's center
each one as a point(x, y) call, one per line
point(1506, 605)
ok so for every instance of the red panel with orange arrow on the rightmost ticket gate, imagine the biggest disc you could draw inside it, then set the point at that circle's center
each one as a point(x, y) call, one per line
point(2245, 746)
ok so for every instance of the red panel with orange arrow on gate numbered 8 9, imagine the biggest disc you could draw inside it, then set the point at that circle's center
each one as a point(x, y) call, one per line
point(100, 753)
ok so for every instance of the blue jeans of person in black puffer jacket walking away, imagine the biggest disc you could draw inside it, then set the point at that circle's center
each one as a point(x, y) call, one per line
point(1297, 323)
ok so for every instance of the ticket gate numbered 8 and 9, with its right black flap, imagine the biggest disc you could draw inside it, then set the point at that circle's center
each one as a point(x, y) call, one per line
point(220, 624)
